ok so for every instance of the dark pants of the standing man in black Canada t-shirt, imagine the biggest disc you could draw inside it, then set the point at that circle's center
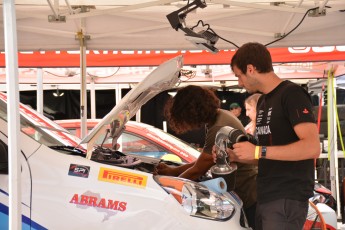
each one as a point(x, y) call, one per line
point(282, 214)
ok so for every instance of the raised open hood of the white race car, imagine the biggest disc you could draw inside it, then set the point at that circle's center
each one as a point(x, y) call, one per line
point(164, 77)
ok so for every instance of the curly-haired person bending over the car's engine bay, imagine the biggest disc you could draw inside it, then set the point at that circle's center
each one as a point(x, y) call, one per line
point(192, 108)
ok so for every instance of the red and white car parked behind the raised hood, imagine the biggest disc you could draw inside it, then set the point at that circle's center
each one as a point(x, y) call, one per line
point(142, 139)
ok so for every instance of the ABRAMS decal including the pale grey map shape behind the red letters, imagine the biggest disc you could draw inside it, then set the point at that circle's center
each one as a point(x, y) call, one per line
point(108, 207)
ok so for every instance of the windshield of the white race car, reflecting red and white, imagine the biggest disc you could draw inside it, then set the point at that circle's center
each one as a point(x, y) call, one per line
point(40, 128)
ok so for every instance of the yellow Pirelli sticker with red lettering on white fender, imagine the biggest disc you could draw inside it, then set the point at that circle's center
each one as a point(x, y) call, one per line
point(123, 178)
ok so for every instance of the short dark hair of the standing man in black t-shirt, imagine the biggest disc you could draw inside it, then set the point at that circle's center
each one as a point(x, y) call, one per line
point(255, 54)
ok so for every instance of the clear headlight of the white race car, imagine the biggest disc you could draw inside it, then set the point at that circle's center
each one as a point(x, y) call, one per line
point(197, 199)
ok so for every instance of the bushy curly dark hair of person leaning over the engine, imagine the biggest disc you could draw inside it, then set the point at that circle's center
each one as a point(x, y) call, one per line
point(191, 108)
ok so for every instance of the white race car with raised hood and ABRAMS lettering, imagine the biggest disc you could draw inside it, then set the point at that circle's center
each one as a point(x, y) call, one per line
point(67, 185)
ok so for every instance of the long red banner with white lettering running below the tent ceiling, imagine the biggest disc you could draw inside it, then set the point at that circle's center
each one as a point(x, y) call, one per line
point(104, 58)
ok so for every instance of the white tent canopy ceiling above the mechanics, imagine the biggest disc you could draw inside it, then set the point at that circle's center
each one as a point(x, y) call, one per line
point(142, 24)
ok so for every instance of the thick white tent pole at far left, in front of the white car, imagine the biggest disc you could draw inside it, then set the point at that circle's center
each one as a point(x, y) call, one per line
point(11, 52)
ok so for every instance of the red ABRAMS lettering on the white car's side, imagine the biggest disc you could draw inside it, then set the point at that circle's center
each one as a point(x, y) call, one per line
point(94, 201)
